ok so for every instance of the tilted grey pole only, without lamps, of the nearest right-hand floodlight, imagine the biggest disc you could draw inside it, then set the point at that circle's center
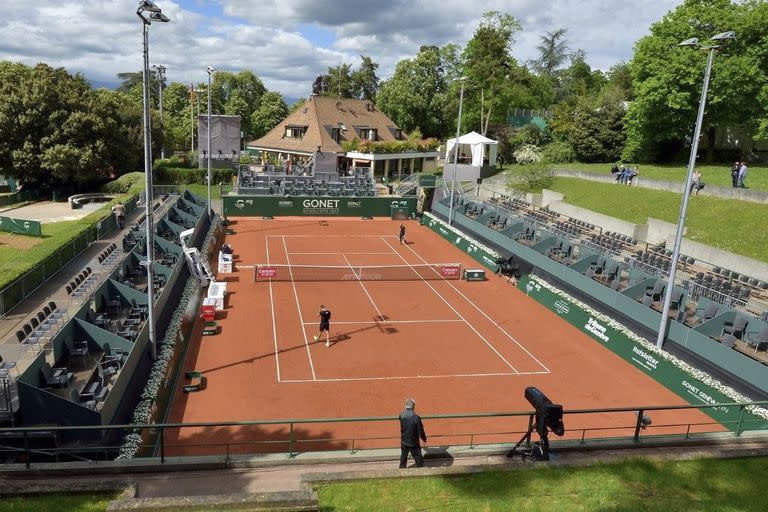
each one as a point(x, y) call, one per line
point(684, 204)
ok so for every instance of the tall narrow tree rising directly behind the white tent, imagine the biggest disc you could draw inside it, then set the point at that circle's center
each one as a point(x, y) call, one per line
point(488, 61)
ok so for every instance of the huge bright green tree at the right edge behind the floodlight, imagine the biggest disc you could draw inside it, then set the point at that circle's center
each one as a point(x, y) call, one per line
point(667, 79)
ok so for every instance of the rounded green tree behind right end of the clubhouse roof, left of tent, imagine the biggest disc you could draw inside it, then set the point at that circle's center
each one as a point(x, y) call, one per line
point(415, 96)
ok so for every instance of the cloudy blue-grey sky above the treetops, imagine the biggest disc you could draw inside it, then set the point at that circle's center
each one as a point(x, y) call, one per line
point(287, 43)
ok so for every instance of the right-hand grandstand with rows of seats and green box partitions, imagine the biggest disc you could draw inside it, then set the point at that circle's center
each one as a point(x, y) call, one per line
point(637, 270)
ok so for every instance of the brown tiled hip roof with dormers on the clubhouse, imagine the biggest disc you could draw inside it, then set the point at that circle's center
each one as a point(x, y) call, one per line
point(317, 121)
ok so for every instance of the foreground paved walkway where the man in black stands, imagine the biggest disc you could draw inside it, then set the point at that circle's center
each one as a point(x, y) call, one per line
point(293, 477)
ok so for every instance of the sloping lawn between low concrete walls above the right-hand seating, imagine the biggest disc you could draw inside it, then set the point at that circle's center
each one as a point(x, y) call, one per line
point(727, 224)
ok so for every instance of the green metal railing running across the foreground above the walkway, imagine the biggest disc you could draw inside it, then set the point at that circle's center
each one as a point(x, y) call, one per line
point(292, 437)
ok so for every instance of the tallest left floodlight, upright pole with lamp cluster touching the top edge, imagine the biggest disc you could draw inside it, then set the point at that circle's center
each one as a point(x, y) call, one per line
point(149, 12)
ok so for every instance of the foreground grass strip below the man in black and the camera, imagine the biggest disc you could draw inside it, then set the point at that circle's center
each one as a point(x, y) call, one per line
point(635, 485)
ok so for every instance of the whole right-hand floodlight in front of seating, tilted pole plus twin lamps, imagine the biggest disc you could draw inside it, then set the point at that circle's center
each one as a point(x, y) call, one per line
point(721, 38)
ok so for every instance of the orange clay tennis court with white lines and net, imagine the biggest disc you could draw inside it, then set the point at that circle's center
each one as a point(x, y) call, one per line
point(456, 347)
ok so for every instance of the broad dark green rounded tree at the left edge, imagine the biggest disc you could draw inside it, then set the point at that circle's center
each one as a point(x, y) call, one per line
point(58, 133)
